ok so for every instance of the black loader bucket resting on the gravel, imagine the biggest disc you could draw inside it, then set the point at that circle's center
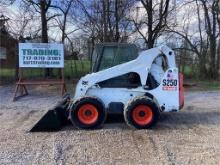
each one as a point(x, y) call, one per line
point(54, 119)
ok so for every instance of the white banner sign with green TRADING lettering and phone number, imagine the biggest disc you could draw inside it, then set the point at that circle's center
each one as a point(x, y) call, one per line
point(41, 55)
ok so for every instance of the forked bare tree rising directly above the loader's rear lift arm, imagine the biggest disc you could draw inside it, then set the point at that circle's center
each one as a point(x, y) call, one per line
point(154, 19)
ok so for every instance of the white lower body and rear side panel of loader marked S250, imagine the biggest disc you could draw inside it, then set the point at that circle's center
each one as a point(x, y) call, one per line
point(167, 93)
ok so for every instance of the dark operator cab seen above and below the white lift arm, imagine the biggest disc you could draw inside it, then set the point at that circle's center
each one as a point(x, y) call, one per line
point(107, 55)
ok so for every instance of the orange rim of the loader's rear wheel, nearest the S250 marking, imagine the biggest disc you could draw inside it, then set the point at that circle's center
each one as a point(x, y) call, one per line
point(142, 115)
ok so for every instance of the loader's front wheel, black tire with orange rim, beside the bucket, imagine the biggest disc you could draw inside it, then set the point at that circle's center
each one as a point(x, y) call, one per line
point(76, 118)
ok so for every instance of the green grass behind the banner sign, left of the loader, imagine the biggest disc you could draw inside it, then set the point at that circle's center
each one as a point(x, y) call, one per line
point(72, 69)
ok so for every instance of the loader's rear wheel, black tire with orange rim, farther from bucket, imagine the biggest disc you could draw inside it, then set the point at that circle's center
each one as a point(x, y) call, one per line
point(148, 118)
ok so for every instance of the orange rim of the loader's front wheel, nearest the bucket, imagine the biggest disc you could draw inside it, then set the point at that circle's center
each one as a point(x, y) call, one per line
point(88, 114)
